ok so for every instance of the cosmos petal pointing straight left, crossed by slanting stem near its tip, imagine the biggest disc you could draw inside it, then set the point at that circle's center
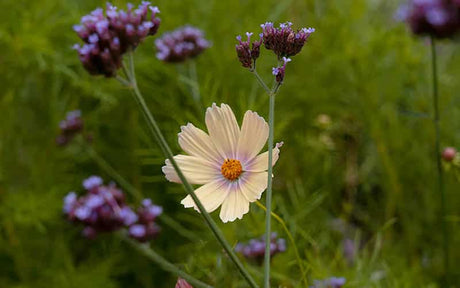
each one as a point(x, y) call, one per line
point(196, 170)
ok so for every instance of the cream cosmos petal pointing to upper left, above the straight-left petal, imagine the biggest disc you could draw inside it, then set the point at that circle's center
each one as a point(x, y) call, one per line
point(196, 142)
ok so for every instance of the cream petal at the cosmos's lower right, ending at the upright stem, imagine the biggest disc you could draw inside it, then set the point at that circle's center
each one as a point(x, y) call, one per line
point(253, 184)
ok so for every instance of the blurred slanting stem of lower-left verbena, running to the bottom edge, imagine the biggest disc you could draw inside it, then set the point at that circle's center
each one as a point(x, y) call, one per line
point(163, 263)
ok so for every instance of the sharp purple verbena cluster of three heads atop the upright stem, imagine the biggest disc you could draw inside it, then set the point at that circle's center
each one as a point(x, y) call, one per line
point(283, 41)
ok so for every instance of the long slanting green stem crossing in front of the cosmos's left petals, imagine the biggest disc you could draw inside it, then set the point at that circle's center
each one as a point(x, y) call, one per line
point(158, 136)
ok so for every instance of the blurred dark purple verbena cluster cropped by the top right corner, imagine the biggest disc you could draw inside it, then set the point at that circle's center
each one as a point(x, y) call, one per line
point(439, 18)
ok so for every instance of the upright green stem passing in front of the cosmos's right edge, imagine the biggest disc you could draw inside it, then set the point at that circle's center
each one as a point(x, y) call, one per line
point(268, 203)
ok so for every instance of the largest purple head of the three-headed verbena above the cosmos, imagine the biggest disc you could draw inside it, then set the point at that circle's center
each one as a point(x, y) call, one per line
point(284, 41)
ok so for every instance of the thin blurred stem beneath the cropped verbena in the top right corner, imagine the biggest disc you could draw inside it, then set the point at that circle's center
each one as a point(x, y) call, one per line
point(441, 191)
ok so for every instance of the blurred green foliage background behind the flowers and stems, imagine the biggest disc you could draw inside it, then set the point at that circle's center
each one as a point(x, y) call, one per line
point(368, 175)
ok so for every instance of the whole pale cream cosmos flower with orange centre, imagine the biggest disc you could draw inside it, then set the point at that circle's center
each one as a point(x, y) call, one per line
point(225, 162)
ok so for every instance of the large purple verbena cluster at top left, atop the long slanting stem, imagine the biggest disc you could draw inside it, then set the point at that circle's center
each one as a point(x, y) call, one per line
point(108, 36)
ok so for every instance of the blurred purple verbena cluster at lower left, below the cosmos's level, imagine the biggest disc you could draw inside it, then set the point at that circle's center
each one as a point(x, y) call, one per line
point(103, 209)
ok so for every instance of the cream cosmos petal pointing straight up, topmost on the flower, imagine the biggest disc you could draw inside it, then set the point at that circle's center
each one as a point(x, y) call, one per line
point(223, 129)
